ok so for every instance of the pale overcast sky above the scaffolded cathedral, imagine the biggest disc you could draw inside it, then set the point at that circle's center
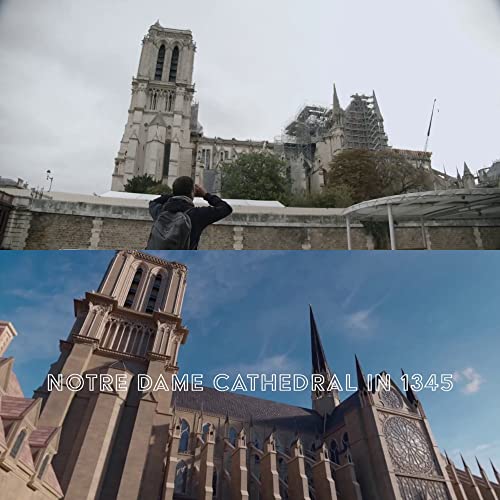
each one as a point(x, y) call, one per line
point(66, 69)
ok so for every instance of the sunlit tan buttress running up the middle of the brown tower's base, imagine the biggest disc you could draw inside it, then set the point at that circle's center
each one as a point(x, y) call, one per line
point(94, 453)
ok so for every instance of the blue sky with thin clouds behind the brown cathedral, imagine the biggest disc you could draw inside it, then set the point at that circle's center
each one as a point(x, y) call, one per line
point(248, 312)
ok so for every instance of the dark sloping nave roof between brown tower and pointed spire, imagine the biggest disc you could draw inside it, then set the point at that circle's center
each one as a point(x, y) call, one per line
point(241, 407)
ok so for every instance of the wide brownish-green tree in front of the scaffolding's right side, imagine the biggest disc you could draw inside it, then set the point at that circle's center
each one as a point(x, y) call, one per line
point(374, 174)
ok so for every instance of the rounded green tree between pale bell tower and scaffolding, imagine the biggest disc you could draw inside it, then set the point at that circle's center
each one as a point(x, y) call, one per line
point(256, 176)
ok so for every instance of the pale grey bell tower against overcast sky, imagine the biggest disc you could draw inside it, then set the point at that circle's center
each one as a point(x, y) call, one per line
point(157, 140)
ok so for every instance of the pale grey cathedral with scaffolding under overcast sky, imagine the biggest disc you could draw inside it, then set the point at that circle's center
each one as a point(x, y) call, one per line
point(164, 139)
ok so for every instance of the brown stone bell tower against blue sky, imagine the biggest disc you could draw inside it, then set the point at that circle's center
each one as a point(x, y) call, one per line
point(130, 326)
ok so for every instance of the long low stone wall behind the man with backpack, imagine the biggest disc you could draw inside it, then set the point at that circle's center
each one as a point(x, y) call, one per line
point(80, 221)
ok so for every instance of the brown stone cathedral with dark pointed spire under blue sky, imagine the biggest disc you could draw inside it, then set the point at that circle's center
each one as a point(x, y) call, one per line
point(106, 444)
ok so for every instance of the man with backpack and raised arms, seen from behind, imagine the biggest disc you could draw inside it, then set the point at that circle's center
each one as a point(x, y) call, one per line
point(177, 223)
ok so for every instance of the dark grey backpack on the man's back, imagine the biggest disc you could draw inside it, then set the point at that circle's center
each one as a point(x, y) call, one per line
point(170, 231)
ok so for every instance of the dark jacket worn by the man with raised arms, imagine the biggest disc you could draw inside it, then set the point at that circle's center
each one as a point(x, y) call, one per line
point(200, 217)
